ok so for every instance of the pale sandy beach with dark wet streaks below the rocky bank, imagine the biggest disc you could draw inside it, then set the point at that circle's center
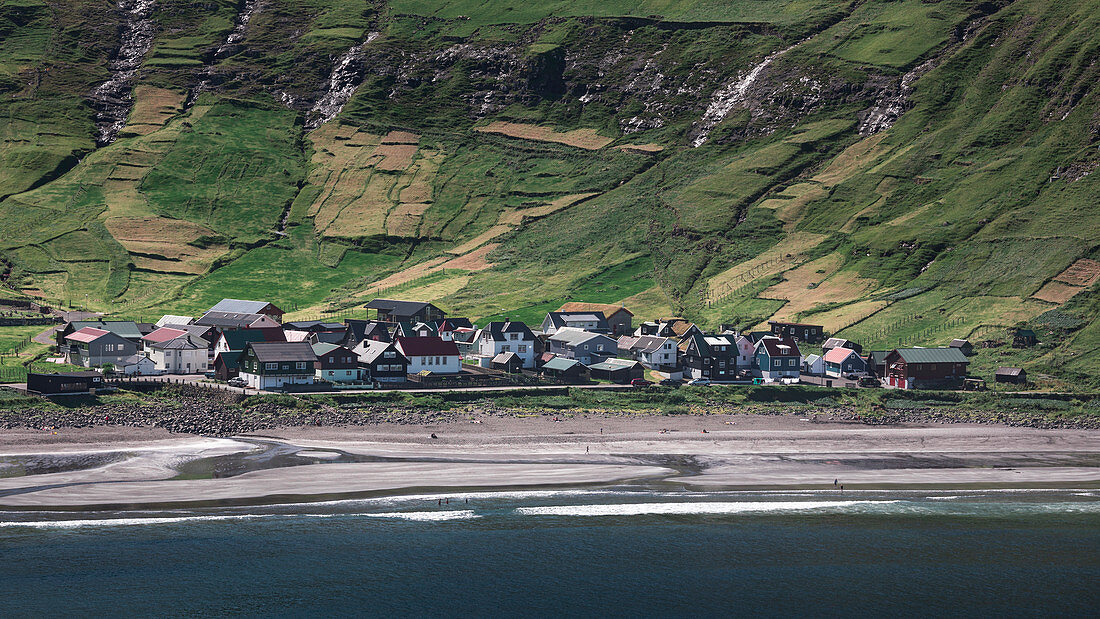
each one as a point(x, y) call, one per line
point(130, 468)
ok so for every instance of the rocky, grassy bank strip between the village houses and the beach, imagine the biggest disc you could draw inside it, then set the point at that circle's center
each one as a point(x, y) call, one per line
point(191, 410)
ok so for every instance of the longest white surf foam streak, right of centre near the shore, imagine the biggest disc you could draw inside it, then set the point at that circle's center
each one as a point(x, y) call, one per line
point(689, 509)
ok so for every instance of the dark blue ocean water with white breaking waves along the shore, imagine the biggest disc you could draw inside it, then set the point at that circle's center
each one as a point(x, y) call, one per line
point(620, 552)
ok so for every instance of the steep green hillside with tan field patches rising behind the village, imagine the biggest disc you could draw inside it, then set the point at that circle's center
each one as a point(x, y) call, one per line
point(903, 172)
